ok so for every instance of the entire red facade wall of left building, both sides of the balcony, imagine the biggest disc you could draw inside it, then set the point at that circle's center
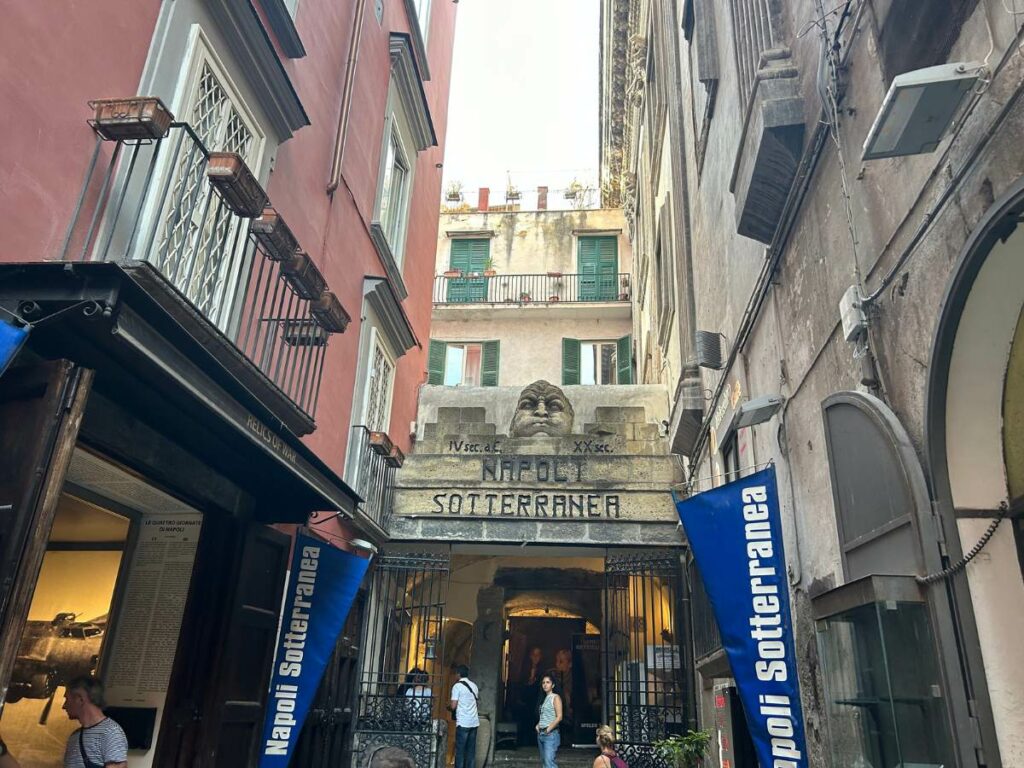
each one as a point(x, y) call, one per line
point(57, 57)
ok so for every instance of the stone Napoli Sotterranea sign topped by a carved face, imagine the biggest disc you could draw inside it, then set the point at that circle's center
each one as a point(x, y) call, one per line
point(560, 465)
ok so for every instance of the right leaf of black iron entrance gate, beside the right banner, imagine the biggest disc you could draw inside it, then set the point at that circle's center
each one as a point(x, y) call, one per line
point(646, 654)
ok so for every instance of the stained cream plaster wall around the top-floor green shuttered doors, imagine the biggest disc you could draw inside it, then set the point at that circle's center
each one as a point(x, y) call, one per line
point(534, 242)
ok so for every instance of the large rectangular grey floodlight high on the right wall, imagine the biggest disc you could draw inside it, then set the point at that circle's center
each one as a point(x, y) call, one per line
point(919, 109)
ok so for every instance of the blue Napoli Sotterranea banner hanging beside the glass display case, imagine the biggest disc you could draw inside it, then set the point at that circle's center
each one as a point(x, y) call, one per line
point(737, 539)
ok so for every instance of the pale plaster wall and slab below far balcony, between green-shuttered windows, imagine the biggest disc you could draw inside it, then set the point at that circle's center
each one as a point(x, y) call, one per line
point(531, 337)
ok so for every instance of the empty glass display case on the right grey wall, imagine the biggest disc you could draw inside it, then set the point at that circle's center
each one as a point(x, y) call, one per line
point(886, 704)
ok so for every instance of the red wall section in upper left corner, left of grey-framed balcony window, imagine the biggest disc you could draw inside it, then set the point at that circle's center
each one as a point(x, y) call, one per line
point(55, 57)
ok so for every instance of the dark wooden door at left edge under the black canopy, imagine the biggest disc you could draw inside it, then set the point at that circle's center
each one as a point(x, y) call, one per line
point(41, 410)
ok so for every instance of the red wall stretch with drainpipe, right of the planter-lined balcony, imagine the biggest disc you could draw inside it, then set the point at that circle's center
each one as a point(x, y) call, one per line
point(335, 230)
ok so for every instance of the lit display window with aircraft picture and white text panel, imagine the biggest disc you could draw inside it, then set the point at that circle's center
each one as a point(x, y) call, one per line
point(109, 601)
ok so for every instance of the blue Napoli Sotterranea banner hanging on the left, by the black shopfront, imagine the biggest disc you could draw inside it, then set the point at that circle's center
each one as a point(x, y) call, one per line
point(321, 590)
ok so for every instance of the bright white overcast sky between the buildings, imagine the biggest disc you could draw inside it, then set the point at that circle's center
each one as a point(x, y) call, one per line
point(525, 97)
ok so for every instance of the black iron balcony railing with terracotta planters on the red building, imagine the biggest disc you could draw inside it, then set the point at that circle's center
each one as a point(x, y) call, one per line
point(154, 201)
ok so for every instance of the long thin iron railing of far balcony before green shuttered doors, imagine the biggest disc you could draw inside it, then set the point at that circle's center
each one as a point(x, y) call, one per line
point(531, 289)
